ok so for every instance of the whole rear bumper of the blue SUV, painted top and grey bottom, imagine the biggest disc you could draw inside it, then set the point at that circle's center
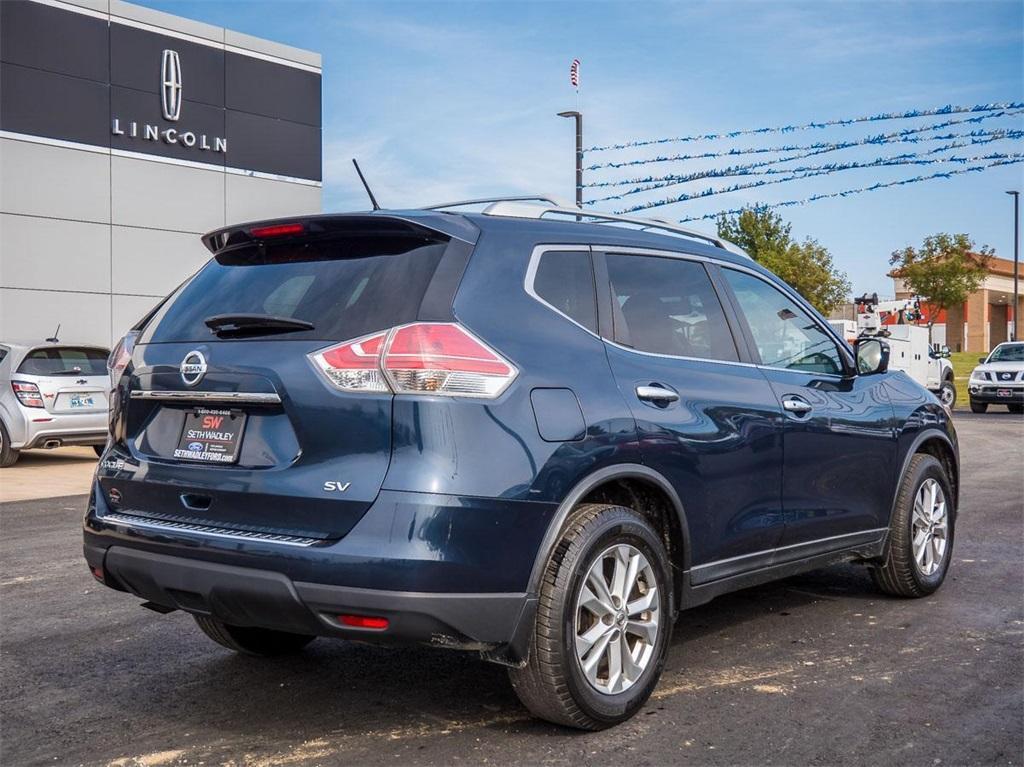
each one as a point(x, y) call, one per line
point(445, 571)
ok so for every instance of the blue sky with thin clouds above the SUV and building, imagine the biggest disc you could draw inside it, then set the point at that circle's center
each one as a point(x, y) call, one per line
point(442, 101)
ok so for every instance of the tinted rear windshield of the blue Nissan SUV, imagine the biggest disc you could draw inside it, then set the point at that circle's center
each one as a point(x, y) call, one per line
point(346, 286)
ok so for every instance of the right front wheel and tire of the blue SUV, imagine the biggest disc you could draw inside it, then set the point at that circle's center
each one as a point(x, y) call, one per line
point(921, 533)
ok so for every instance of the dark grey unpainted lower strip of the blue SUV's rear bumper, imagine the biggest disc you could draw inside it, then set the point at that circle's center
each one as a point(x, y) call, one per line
point(243, 596)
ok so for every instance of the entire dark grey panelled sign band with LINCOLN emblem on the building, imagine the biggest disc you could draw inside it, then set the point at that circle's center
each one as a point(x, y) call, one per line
point(69, 76)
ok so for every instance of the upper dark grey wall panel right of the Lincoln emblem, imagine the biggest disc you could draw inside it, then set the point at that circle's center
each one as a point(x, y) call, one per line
point(272, 90)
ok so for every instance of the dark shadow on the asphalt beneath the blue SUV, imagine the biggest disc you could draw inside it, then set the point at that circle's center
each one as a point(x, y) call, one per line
point(340, 691)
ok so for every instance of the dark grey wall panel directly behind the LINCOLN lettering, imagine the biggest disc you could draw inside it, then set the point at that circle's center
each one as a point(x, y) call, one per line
point(199, 120)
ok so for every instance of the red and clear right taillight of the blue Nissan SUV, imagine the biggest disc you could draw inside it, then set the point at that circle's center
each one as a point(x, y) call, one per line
point(422, 358)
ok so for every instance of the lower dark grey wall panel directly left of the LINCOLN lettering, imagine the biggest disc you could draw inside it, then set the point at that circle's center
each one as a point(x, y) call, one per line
point(42, 104)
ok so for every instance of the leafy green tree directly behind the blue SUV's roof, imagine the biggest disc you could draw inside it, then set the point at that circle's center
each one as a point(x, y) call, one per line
point(807, 266)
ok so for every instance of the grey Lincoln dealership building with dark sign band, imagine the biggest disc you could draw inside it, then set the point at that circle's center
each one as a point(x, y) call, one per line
point(125, 134)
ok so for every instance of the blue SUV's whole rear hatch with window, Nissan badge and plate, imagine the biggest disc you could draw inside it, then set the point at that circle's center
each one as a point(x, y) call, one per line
point(232, 420)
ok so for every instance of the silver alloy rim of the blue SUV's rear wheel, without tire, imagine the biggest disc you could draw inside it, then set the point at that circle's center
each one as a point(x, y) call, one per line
point(617, 619)
